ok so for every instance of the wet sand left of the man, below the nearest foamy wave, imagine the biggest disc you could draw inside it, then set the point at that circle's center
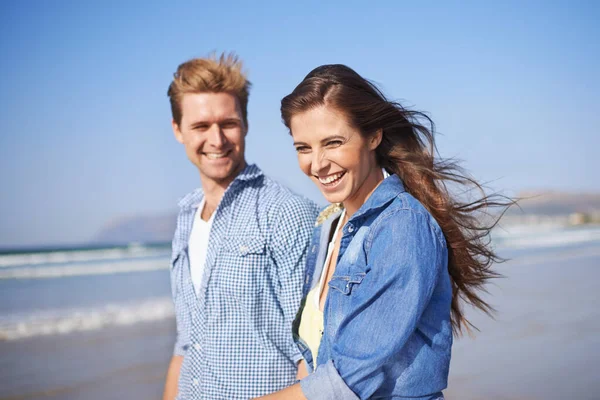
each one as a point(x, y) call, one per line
point(126, 363)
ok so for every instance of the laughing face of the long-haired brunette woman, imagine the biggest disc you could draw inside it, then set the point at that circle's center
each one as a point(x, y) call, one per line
point(338, 159)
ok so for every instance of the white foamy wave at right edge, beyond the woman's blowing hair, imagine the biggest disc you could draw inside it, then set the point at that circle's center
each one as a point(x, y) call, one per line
point(544, 237)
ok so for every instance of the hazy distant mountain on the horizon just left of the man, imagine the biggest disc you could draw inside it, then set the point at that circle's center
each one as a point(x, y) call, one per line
point(143, 229)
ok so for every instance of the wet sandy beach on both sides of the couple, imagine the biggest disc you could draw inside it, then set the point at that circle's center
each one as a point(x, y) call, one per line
point(543, 344)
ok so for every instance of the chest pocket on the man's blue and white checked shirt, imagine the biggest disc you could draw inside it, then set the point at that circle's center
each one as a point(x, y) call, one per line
point(242, 266)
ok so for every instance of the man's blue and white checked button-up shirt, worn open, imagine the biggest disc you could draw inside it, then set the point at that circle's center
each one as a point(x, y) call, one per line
point(235, 335)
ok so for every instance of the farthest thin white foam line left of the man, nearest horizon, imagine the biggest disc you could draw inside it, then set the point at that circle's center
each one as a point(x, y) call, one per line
point(63, 257)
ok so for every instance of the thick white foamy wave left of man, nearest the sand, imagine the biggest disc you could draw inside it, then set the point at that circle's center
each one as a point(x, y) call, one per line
point(67, 321)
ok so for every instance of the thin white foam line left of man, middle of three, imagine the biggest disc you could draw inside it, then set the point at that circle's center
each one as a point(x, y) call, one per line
point(83, 269)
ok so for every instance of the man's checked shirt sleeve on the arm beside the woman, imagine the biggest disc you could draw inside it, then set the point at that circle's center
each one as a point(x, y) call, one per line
point(290, 241)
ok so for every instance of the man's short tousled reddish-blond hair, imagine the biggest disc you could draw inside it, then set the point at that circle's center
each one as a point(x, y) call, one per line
point(213, 75)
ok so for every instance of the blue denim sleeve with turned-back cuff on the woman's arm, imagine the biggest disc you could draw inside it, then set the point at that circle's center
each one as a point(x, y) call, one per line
point(405, 255)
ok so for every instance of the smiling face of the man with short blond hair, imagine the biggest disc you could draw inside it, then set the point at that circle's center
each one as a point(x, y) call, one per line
point(213, 133)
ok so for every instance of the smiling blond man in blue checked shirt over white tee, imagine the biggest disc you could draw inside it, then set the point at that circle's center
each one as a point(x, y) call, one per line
point(238, 251)
